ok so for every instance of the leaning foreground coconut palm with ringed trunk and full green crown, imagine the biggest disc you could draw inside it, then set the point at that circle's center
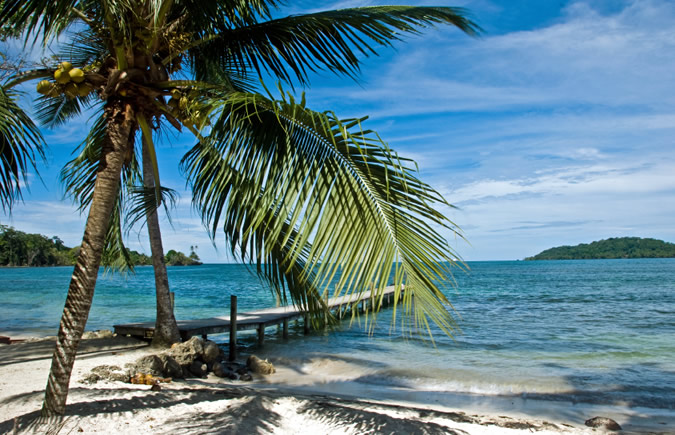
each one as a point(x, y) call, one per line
point(304, 196)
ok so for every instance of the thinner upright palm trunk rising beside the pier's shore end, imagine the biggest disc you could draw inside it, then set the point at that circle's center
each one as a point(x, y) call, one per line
point(166, 329)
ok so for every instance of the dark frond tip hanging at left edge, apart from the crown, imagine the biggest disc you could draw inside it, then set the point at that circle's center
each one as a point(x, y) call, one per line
point(21, 146)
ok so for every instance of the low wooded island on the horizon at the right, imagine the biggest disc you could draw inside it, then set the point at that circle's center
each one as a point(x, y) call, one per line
point(619, 247)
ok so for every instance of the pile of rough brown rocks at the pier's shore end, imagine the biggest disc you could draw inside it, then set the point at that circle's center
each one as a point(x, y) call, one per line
point(195, 358)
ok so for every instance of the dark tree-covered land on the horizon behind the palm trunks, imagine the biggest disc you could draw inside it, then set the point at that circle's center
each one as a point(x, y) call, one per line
point(23, 249)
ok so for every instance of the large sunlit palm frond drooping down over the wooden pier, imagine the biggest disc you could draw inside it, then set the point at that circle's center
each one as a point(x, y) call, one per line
point(299, 189)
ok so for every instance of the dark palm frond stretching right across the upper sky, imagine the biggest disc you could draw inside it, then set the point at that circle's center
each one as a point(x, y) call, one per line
point(293, 47)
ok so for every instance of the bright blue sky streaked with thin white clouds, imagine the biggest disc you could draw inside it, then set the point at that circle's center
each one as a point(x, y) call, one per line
point(556, 127)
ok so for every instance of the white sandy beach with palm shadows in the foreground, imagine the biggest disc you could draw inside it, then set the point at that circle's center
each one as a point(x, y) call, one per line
point(284, 403)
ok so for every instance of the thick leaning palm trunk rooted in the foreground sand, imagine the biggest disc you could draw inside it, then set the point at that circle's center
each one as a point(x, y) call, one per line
point(119, 137)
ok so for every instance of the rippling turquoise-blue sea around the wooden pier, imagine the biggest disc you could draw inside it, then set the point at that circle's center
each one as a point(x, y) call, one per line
point(597, 331)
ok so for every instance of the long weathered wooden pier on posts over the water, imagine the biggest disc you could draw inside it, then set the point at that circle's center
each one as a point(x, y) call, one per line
point(258, 319)
